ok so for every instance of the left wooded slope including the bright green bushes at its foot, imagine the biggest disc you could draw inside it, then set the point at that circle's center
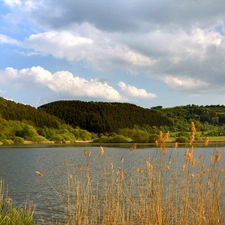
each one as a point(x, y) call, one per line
point(19, 122)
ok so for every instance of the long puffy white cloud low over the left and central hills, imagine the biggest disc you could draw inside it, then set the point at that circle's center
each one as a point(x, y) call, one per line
point(62, 83)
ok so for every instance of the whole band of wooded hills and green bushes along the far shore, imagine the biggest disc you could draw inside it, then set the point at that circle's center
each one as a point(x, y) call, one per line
point(64, 121)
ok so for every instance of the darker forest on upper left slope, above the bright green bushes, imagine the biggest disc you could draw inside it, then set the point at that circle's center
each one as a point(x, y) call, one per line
point(10, 110)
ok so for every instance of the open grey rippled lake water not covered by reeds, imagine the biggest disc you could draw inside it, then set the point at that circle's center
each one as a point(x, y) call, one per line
point(18, 166)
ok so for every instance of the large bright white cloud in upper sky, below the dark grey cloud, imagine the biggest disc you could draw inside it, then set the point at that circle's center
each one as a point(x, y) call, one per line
point(87, 45)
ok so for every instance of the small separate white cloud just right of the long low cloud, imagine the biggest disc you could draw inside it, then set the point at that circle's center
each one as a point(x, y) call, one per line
point(132, 91)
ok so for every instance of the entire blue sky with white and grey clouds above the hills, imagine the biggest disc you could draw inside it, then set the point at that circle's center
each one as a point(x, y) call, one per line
point(145, 52)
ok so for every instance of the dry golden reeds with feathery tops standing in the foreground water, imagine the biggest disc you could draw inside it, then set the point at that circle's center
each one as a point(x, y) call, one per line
point(167, 189)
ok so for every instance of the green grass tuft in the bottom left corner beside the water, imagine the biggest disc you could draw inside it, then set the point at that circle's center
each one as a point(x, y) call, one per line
point(10, 215)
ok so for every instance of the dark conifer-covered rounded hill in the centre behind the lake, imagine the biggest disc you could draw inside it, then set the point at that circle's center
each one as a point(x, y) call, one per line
point(101, 117)
